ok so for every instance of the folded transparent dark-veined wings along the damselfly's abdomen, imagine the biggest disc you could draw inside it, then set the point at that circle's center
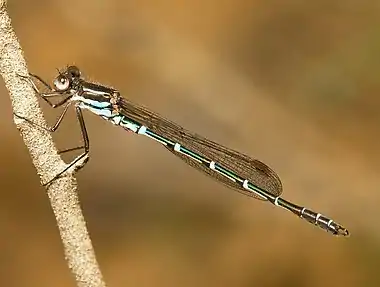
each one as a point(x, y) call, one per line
point(253, 170)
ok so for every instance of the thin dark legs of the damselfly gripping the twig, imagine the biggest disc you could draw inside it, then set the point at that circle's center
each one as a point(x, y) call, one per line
point(67, 103)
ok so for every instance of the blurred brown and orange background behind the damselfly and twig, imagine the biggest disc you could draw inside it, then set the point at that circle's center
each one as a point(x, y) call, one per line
point(292, 83)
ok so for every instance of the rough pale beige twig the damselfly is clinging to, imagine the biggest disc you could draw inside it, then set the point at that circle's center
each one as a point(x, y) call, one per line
point(62, 193)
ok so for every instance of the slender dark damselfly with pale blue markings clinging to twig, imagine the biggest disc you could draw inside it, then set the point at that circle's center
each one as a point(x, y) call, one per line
point(236, 170)
